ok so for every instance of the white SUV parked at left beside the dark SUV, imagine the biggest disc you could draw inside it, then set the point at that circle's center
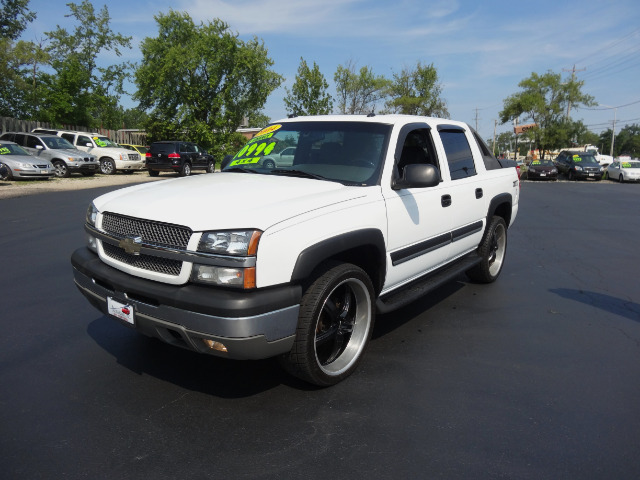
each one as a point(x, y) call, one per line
point(112, 157)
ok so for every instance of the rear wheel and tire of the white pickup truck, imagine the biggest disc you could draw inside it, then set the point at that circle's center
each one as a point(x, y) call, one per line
point(492, 250)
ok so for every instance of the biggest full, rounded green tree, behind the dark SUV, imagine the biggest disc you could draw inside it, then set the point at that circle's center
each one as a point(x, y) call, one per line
point(200, 81)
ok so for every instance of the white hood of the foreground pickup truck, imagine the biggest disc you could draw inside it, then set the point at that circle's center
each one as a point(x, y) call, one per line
point(227, 200)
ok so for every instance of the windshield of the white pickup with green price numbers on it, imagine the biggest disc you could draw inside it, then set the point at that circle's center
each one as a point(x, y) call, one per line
point(351, 153)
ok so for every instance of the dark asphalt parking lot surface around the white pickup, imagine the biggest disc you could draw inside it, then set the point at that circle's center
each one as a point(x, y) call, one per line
point(533, 377)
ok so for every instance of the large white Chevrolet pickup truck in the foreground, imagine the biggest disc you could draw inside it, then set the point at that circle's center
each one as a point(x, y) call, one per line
point(294, 262)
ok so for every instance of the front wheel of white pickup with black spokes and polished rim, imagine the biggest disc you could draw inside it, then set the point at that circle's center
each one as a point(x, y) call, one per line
point(334, 325)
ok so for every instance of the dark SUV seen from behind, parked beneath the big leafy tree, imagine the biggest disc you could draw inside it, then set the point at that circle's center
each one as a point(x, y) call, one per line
point(181, 157)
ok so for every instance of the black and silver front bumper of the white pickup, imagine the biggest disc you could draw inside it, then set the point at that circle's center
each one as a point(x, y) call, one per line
point(251, 325)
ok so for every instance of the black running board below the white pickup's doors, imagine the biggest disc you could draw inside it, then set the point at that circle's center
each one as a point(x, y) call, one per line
point(416, 289)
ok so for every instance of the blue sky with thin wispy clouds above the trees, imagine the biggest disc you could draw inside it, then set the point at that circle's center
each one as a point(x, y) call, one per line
point(481, 50)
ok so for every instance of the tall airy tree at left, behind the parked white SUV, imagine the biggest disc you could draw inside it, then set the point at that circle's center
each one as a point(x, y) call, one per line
point(79, 91)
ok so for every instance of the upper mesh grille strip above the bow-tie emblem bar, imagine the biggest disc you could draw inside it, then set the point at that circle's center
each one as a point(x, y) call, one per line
point(164, 234)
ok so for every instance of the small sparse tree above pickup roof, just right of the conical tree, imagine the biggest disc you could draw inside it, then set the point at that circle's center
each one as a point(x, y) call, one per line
point(360, 92)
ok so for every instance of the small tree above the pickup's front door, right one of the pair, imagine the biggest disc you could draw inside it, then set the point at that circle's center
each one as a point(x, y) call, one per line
point(416, 91)
